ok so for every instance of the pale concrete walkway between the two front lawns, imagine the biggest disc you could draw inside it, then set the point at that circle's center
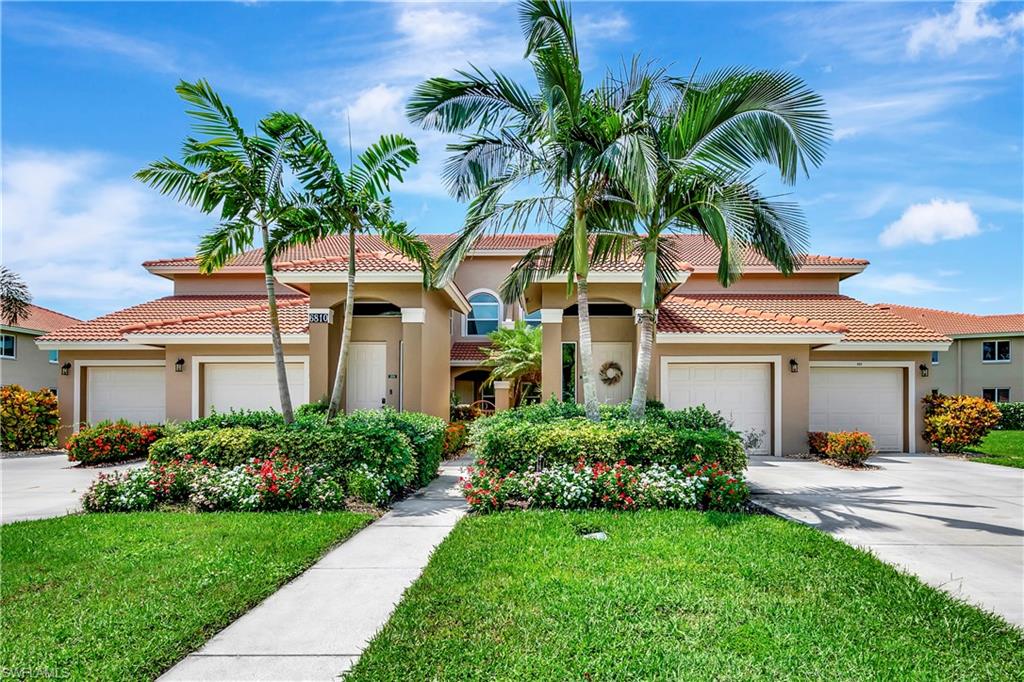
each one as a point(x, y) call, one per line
point(316, 627)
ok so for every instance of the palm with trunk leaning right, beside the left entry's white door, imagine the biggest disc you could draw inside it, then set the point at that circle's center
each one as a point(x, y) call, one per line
point(349, 203)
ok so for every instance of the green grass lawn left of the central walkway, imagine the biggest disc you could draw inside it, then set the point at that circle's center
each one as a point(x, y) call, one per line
point(125, 596)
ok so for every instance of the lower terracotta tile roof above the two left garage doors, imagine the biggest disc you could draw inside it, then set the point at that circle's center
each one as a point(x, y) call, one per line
point(215, 315)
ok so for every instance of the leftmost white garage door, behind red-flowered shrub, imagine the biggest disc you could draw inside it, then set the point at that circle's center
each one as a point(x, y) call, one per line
point(135, 394)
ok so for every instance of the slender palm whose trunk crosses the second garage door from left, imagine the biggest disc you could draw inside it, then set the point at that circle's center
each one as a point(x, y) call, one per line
point(240, 177)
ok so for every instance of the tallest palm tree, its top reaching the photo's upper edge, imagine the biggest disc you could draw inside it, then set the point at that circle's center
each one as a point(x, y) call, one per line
point(572, 143)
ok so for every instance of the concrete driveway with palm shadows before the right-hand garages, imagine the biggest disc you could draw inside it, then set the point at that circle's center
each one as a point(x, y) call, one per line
point(958, 526)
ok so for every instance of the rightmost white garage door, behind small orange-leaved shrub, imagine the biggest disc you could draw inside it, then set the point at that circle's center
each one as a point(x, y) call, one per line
point(860, 399)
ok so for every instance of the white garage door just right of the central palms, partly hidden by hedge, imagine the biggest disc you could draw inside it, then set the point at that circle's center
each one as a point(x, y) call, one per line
point(741, 392)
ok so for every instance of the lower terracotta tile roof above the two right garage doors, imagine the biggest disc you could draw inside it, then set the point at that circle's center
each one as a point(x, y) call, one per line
point(763, 313)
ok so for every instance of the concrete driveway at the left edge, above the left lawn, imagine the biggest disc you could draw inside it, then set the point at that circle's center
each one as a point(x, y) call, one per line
point(45, 486)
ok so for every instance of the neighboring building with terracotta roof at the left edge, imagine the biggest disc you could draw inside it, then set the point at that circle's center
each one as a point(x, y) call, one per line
point(21, 362)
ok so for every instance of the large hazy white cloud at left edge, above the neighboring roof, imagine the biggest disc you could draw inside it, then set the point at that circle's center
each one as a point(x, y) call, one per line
point(77, 233)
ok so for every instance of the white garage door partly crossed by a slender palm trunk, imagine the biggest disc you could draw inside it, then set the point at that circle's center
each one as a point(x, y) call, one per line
point(230, 387)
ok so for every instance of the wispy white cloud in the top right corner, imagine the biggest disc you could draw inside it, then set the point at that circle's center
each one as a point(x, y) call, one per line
point(967, 24)
